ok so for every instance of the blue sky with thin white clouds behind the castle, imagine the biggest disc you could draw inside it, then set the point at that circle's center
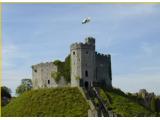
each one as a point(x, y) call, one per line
point(34, 33)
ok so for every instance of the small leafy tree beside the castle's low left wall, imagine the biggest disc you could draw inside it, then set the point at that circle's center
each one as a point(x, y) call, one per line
point(26, 85)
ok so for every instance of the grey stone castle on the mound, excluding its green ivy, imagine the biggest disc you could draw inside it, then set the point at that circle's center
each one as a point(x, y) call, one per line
point(88, 68)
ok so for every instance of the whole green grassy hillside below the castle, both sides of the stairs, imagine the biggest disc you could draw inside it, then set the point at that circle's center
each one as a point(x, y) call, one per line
point(70, 102)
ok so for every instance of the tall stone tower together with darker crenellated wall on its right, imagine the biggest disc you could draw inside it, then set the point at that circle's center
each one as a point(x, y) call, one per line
point(88, 67)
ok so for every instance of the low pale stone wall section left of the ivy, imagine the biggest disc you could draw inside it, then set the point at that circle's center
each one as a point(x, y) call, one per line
point(41, 76)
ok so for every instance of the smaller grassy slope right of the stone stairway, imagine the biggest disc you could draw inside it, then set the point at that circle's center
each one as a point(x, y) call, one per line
point(124, 106)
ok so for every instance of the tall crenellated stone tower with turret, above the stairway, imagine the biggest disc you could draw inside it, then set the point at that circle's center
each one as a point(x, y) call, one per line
point(83, 63)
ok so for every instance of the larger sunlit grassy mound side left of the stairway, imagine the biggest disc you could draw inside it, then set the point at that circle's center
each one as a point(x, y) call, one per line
point(48, 102)
